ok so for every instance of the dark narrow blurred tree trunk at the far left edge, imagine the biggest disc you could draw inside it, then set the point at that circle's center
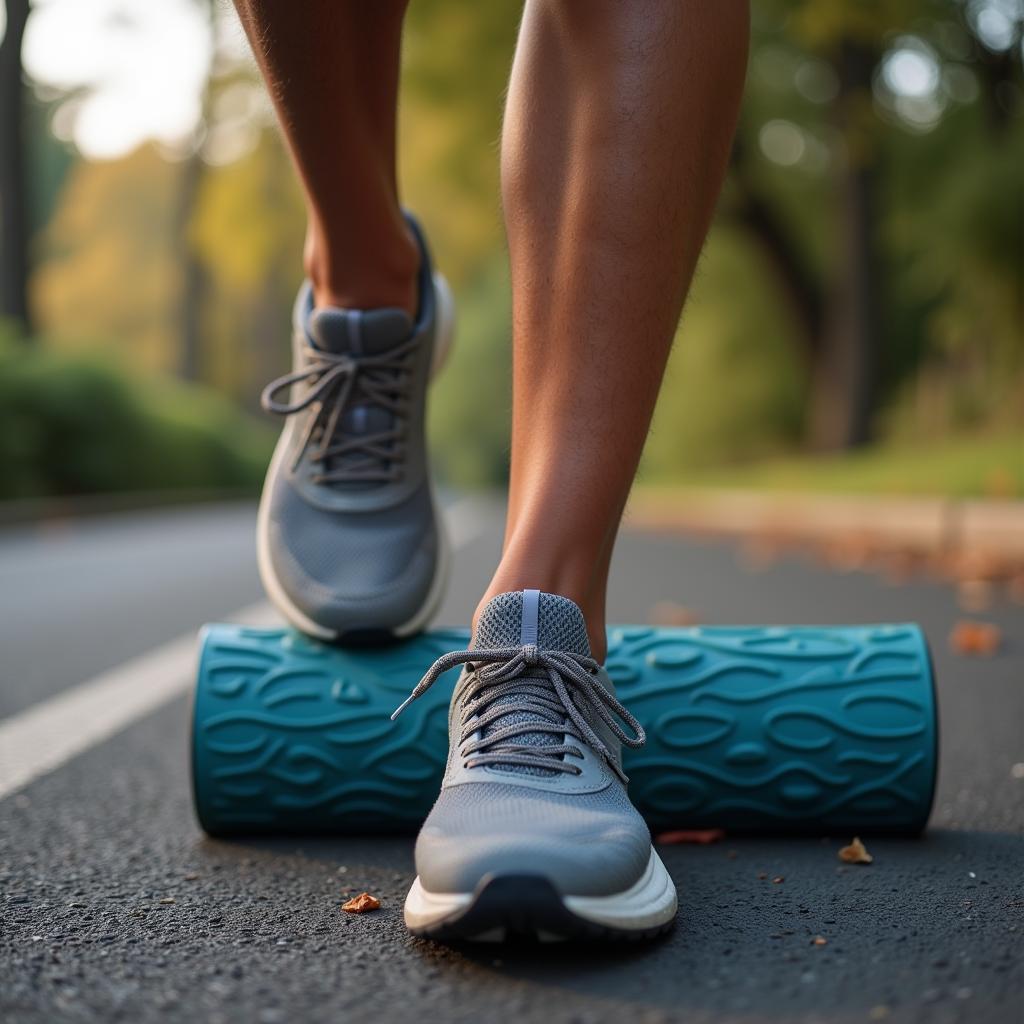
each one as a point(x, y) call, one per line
point(14, 185)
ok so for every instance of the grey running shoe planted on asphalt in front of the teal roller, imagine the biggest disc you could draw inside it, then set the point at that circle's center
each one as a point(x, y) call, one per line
point(533, 833)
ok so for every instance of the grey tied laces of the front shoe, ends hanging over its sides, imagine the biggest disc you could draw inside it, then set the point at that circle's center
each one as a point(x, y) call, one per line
point(550, 692)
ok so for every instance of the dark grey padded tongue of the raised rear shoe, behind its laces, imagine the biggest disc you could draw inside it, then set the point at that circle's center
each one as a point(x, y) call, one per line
point(359, 332)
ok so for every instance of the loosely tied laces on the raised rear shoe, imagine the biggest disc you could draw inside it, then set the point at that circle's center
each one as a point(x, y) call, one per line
point(339, 381)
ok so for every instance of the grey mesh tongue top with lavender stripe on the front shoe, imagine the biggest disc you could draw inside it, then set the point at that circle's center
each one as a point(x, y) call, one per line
point(524, 617)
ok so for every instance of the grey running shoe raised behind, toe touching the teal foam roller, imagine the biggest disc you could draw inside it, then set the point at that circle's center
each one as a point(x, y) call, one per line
point(351, 542)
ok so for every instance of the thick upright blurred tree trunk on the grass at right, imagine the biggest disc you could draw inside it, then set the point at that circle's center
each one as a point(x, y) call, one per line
point(845, 385)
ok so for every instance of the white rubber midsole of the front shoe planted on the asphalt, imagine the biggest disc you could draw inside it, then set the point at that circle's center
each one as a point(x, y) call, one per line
point(647, 909)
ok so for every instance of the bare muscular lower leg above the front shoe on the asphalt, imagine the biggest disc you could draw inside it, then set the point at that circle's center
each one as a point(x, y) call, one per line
point(617, 135)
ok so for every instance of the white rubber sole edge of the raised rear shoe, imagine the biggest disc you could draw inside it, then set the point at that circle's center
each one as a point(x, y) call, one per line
point(276, 592)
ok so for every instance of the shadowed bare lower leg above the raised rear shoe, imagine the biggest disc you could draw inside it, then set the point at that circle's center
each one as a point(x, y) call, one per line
point(332, 70)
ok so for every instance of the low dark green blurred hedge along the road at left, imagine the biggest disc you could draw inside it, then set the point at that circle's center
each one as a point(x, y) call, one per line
point(73, 425)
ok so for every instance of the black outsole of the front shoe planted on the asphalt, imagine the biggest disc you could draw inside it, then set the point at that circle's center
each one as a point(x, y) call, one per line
point(527, 908)
